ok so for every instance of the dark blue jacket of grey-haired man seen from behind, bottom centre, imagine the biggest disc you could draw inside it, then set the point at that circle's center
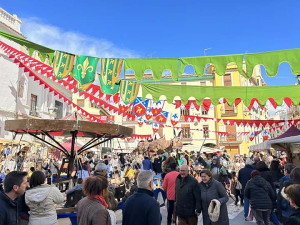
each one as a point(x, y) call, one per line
point(141, 209)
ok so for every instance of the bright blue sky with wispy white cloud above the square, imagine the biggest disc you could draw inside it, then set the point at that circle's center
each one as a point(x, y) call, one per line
point(167, 28)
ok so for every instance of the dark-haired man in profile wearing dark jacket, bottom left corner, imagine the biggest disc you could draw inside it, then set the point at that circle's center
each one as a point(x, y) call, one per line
point(15, 185)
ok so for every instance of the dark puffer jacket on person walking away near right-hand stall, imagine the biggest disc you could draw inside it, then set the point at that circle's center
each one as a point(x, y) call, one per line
point(260, 193)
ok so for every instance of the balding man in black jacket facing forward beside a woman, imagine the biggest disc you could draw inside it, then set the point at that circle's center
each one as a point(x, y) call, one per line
point(187, 198)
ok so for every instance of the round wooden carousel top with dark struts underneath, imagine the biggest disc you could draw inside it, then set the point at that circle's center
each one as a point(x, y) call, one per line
point(42, 127)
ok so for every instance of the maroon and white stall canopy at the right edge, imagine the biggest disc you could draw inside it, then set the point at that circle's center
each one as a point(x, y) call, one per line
point(292, 135)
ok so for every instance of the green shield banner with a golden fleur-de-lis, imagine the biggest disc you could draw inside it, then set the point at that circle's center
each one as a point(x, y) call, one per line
point(85, 70)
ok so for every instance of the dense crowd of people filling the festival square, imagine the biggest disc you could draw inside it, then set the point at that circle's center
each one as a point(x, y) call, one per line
point(194, 184)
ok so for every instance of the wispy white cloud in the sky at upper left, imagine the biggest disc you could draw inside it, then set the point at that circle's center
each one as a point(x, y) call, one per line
point(72, 42)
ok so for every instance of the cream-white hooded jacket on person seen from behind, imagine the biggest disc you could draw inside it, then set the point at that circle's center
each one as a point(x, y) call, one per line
point(42, 201)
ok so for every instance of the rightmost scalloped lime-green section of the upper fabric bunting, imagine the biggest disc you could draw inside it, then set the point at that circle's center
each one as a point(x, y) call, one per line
point(272, 60)
